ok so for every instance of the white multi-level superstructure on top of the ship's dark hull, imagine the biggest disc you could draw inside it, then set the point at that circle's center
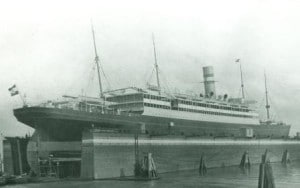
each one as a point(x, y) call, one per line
point(151, 103)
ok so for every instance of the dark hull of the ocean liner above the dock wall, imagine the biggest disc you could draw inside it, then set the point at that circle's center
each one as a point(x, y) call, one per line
point(55, 122)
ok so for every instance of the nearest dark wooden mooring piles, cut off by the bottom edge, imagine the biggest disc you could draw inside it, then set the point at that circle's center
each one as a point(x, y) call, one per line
point(266, 178)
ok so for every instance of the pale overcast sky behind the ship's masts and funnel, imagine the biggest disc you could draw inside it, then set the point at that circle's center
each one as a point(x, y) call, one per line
point(46, 49)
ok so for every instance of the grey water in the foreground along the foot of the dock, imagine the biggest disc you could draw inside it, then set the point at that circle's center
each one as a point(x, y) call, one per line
point(286, 176)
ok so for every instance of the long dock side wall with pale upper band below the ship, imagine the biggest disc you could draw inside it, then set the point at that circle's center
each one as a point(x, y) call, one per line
point(105, 155)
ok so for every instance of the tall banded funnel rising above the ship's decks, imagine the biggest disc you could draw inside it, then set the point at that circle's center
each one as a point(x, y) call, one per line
point(209, 82)
